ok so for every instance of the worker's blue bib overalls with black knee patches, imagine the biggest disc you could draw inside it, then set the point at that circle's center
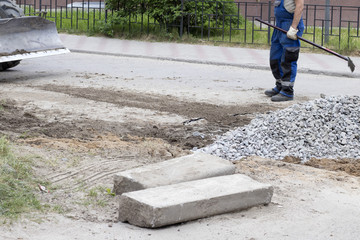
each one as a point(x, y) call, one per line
point(284, 52)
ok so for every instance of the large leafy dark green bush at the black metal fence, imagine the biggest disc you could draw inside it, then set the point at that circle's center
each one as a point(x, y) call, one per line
point(170, 13)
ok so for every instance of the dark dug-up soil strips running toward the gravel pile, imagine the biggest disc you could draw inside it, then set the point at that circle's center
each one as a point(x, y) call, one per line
point(204, 121)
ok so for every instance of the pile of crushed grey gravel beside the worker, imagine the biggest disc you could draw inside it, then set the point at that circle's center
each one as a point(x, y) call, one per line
point(328, 127)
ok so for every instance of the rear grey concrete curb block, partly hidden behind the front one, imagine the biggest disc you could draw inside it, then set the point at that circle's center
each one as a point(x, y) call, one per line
point(182, 169)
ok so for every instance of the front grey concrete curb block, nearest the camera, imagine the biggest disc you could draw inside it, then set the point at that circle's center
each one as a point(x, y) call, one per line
point(166, 205)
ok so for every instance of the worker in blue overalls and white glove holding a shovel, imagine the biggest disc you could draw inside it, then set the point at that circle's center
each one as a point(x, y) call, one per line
point(285, 48)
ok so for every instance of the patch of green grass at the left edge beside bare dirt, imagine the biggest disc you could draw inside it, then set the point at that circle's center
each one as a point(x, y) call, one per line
point(17, 184)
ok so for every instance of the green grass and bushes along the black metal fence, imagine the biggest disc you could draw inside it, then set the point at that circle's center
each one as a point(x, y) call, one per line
point(213, 22)
